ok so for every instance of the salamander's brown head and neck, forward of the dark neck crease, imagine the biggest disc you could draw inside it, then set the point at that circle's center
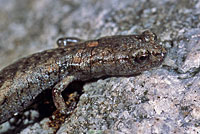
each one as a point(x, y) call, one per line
point(125, 55)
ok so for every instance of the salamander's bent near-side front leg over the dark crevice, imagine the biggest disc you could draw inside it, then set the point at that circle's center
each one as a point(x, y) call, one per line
point(57, 96)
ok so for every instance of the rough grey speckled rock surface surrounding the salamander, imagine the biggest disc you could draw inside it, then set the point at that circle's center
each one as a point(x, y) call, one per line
point(162, 100)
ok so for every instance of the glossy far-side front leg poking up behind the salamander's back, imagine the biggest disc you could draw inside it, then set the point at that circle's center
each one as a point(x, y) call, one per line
point(66, 41)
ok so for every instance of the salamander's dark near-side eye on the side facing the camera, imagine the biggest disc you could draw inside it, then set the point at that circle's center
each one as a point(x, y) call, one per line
point(142, 57)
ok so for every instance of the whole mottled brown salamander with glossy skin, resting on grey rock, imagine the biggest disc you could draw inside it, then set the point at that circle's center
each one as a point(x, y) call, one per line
point(74, 59)
